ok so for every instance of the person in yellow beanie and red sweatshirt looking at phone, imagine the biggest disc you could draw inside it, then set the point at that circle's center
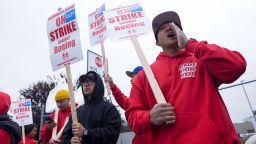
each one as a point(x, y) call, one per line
point(62, 100)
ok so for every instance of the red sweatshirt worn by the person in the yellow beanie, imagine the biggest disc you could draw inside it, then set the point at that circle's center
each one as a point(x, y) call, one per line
point(46, 134)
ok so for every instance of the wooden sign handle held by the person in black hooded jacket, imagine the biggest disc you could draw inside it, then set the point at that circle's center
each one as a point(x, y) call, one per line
point(71, 94)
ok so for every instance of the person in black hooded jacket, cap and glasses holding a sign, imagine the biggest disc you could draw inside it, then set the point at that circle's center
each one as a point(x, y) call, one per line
point(98, 120)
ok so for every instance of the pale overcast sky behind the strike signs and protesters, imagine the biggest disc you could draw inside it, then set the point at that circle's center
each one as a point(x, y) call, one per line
point(25, 58)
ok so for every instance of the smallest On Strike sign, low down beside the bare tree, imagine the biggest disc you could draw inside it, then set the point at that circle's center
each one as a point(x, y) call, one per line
point(22, 112)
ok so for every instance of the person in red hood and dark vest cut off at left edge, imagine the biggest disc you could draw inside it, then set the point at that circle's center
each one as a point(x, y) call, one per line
point(9, 130)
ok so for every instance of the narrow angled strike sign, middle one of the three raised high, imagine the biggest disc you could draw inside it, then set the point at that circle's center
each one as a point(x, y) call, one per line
point(97, 26)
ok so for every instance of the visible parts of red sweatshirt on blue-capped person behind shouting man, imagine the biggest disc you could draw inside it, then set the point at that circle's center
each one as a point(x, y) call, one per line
point(123, 101)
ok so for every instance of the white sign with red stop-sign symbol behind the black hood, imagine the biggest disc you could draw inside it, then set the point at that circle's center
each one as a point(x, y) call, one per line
point(95, 63)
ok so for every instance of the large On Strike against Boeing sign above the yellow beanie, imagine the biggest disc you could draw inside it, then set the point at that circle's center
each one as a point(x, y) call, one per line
point(64, 38)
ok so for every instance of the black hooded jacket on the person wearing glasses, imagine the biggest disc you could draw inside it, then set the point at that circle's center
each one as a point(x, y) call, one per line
point(98, 116)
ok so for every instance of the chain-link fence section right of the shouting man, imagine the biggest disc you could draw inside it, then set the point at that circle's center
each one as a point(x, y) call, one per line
point(240, 100)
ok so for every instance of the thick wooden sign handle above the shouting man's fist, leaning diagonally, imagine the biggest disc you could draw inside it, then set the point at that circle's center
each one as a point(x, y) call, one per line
point(152, 81)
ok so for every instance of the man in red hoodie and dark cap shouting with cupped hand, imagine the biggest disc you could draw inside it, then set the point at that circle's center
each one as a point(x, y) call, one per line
point(188, 73)
